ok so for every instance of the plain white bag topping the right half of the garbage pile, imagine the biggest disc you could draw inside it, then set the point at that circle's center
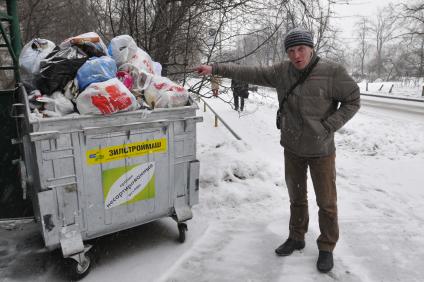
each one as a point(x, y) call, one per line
point(122, 48)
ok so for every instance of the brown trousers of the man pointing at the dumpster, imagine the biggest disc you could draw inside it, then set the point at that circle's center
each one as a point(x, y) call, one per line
point(323, 174)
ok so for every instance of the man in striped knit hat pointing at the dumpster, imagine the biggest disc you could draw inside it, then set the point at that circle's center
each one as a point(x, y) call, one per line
point(317, 97)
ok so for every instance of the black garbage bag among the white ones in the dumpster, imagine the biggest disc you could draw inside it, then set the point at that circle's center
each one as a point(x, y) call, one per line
point(59, 67)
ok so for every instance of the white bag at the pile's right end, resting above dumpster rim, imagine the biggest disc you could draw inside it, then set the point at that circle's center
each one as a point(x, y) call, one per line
point(164, 93)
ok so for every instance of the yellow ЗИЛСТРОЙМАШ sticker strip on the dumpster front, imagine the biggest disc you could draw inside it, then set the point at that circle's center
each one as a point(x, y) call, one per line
point(119, 152)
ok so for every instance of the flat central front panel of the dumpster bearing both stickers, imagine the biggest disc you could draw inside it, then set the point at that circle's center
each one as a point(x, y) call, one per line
point(132, 188)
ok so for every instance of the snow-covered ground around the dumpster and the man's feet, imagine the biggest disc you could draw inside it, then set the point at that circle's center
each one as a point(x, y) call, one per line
point(244, 210)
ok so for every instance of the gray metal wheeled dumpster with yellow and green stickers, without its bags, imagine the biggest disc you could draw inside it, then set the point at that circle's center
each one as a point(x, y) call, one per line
point(89, 176)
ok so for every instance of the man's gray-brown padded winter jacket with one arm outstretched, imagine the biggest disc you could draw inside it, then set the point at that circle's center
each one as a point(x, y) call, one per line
point(316, 108)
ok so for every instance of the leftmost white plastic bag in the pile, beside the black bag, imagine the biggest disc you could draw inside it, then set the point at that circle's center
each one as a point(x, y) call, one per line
point(29, 60)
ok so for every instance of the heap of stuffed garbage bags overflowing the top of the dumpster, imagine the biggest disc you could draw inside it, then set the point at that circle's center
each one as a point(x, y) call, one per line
point(83, 76)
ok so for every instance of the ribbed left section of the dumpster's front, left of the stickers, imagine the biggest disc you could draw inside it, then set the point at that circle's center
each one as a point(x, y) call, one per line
point(58, 203)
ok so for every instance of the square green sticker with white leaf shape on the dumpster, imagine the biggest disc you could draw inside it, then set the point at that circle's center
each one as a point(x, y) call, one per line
point(127, 185)
